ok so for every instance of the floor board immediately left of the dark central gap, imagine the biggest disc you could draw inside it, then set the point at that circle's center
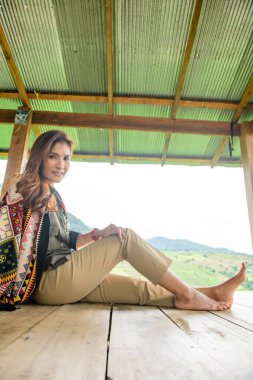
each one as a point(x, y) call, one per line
point(71, 343)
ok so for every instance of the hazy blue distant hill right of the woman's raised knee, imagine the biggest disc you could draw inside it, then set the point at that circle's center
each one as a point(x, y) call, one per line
point(182, 245)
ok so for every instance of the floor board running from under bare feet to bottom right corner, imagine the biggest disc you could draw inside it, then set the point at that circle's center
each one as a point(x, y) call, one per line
point(226, 343)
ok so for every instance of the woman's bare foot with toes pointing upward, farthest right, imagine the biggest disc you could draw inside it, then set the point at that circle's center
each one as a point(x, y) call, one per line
point(225, 291)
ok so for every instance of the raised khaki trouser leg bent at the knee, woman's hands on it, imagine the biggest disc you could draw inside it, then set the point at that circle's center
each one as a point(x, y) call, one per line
point(89, 266)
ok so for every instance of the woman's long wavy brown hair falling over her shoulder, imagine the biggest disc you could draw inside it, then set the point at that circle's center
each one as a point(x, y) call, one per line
point(31, 184)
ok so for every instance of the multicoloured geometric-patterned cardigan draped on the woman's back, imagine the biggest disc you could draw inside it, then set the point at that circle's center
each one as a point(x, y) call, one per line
point(22, 250)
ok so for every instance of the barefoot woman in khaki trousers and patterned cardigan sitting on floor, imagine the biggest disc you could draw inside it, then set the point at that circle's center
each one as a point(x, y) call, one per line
point(44, 260)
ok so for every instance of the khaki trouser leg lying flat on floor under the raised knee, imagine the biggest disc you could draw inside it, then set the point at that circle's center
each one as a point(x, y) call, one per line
point(128, 290)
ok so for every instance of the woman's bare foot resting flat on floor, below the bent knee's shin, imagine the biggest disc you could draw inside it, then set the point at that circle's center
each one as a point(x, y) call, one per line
point(198, 301)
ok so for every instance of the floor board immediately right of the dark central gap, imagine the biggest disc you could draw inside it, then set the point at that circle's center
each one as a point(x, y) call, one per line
point(145, 344)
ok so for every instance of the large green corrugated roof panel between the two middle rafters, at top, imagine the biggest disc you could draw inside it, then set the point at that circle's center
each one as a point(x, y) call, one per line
point(150, 38)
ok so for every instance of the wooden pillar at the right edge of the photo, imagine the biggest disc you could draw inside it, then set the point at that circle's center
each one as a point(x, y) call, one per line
point(247, 161)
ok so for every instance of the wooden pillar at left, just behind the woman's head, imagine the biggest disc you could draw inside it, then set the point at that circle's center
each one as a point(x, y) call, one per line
point(19, 147)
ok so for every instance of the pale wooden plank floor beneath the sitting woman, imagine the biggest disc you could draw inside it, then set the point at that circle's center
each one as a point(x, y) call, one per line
point(87, 341)
